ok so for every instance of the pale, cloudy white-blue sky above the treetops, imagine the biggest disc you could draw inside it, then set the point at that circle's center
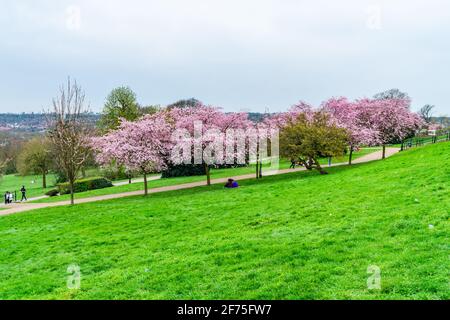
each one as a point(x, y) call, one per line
point(238, 54)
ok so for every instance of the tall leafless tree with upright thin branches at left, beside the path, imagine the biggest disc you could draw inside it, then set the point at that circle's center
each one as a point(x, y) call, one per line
point(69, 131)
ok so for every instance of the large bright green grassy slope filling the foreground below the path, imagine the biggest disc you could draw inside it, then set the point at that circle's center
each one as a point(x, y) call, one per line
point(293, 236)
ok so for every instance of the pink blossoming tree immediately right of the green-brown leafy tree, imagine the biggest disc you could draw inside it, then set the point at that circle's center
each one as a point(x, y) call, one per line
point(355, 118)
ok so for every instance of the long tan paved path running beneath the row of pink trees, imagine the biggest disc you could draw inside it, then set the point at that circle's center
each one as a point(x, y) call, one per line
point(19, 207)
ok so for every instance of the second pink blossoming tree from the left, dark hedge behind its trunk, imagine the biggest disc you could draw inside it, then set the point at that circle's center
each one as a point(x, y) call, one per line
point(205, 135)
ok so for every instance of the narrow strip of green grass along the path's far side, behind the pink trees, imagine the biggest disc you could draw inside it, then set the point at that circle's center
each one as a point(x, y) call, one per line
point(215, 173)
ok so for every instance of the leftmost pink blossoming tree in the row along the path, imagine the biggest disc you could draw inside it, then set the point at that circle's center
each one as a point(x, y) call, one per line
point(142, 145)
